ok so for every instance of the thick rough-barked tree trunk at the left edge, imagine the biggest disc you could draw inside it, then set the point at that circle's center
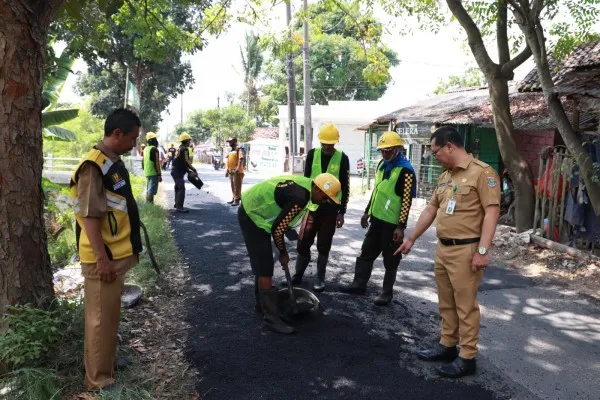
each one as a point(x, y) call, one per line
point(25, 274)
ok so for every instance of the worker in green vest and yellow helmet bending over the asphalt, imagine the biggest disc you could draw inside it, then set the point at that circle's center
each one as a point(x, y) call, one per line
point(268, 209)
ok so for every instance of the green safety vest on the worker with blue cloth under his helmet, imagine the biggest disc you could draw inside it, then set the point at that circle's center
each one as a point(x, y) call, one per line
point(385, 203)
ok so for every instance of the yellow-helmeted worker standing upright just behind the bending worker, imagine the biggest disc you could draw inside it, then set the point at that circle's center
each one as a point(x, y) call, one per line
point(322, 220)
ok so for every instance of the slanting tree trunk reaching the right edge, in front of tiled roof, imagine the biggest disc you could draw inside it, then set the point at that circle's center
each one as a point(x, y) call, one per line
point(531, 27)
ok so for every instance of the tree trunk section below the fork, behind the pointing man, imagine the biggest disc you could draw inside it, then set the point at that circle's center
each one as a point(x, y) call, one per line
point(513, 160)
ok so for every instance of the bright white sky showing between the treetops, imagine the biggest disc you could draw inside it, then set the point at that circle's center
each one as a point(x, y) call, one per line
point(425, 59)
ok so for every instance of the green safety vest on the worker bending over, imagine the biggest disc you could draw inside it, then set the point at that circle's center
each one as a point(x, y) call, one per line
point(260, 205)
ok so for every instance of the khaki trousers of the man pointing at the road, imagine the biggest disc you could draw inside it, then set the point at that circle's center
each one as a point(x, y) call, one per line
point(457, 294)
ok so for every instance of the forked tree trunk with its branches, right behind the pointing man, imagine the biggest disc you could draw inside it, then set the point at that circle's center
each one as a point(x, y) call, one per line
point(497, 77)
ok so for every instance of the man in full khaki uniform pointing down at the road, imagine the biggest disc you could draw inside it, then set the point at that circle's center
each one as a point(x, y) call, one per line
point(467, 205)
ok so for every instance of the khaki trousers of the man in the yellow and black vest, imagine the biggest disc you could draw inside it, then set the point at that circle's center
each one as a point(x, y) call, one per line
point(102, 304)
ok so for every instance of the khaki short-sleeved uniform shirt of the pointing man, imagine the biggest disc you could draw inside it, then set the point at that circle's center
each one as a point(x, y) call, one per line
point(473, 185)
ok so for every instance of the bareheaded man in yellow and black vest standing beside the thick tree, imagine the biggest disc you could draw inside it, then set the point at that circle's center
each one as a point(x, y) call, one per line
point(108, 241)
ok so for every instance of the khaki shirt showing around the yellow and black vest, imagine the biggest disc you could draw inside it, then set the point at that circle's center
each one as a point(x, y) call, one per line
point(93, 204)
